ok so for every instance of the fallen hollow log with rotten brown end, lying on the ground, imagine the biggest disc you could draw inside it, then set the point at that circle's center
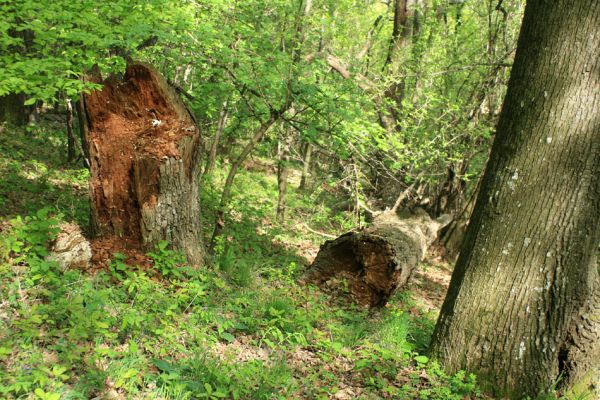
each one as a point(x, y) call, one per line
point(379, 259)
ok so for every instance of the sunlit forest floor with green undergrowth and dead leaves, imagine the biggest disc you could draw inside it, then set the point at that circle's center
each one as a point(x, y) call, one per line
point(241, 327)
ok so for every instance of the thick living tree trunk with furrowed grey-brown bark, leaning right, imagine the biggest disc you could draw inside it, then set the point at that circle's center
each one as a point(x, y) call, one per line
point(524, 280)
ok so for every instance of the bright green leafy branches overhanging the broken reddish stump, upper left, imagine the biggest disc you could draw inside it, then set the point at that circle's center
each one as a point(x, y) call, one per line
point(47, 46)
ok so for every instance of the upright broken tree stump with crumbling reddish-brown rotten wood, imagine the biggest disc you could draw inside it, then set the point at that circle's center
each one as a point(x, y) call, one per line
point(144, 147)
